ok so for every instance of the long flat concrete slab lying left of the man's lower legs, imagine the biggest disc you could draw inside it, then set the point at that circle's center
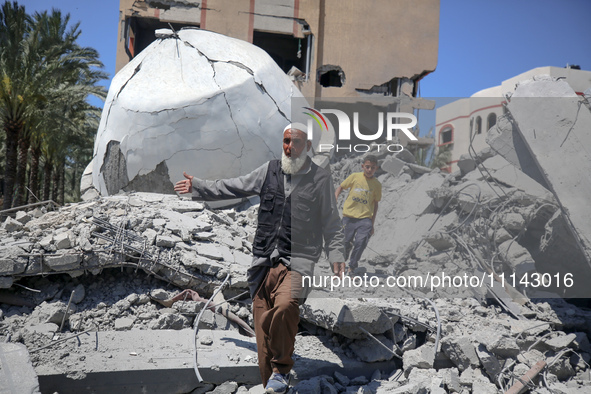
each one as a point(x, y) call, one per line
point(153, 361)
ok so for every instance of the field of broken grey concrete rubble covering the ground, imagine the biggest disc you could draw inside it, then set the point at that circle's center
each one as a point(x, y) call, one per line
point(101, 270)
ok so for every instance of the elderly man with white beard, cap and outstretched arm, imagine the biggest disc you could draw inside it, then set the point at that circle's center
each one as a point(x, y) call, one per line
point(297, 219)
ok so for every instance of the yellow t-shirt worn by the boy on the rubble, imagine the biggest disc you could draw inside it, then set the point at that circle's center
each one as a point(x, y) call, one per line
point(362, 196)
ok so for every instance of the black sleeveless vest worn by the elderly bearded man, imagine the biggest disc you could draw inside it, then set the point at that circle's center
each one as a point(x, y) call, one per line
point(292, 225)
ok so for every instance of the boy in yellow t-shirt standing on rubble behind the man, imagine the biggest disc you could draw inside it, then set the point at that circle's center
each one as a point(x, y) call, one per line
point(361, 207)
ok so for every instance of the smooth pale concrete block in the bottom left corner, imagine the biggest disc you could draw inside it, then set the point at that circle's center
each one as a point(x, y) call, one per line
point(17, 374)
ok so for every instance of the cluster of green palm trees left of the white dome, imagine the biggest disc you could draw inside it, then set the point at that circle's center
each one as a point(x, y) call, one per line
point(46, 79)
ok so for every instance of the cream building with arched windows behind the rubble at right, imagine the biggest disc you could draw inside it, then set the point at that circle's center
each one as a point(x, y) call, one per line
point(470, 118)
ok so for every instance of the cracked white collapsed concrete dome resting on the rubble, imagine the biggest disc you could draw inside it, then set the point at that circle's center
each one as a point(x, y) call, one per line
point(195, 101)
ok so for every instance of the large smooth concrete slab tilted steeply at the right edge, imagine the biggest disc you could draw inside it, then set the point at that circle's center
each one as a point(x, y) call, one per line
point(554, 124)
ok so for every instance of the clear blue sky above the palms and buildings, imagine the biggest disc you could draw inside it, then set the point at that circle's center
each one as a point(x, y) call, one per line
point(481, 42)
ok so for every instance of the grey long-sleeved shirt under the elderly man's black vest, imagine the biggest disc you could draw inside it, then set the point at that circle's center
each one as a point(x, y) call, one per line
point(250, 185)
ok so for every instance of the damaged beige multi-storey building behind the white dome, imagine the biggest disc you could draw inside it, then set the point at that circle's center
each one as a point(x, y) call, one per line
point(334, 48)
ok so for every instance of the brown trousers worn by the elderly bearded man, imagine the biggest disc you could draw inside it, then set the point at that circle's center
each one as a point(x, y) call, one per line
point(276, 317)
